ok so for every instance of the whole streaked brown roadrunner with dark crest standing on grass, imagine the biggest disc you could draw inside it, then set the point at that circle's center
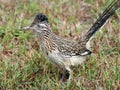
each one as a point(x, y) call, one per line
point(67, 53)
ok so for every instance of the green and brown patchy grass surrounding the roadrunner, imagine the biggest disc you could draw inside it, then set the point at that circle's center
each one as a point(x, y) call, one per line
point(22, 64)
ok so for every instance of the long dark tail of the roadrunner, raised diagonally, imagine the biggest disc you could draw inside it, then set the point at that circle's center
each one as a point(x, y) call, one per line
point(108, 12)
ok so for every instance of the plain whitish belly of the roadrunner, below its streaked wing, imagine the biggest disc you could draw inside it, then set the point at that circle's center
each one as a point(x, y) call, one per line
point(65, 60)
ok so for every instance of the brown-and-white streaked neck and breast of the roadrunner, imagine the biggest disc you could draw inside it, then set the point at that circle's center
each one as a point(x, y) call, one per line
point(47, 39)
